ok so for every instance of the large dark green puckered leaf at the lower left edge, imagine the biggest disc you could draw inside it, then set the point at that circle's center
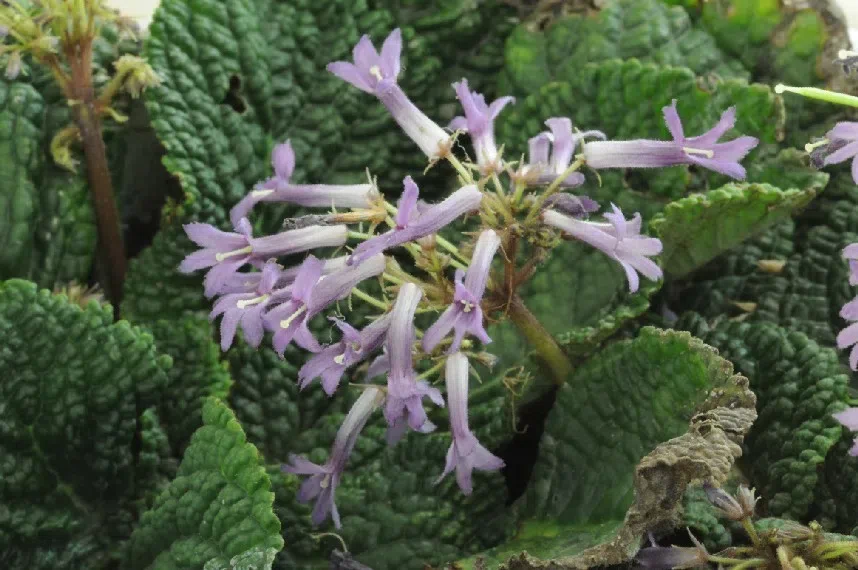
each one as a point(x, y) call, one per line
point(74, 388)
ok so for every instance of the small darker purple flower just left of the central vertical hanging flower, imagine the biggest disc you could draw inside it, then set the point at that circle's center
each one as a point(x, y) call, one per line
point(332, 361)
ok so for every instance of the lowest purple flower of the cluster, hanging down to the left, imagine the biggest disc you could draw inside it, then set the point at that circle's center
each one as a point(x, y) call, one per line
point(323, 479)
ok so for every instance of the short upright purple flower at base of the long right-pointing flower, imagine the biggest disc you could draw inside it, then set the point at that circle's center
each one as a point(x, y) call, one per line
point(551, 153)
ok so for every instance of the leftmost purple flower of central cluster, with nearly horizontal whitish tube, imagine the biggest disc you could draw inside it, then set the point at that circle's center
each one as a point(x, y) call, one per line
point(227, 252)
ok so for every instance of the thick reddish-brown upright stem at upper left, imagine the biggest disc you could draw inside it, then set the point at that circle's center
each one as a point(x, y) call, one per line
point(84, 108)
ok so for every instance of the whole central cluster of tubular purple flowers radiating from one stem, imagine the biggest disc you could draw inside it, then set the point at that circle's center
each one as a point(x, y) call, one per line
point(357, 238)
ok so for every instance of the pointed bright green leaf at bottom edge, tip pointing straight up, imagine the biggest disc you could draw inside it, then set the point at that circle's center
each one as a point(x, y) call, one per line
point(217, 513)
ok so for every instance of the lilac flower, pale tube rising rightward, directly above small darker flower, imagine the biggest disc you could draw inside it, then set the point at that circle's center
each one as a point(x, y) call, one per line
point(310, 294)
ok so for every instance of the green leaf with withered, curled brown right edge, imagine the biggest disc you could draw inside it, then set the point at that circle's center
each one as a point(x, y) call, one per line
point(611, 467)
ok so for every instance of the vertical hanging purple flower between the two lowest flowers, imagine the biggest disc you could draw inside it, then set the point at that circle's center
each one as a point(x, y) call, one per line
point(404, 393)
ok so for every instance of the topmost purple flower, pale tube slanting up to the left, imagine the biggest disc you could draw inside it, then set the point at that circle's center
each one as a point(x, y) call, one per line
point(376, 74)
